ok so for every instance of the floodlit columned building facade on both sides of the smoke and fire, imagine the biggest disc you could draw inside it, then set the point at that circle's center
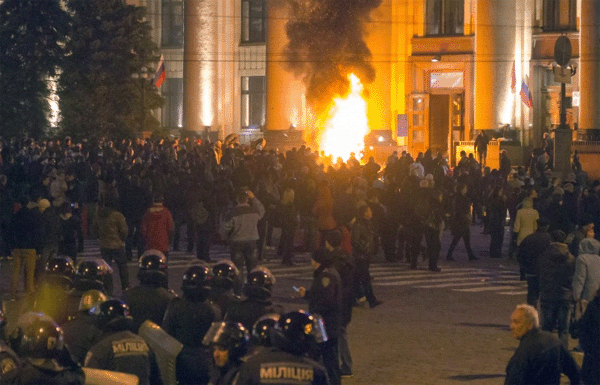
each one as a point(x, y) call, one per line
point(445, 69)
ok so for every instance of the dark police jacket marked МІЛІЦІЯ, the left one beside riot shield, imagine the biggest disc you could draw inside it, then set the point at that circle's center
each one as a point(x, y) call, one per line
point(124, 352)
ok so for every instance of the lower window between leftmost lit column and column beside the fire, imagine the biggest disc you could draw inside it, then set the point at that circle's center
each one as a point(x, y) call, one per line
point(254, 99)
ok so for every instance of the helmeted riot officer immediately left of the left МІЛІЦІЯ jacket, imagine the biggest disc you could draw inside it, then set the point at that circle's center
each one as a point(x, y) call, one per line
point(39, 342)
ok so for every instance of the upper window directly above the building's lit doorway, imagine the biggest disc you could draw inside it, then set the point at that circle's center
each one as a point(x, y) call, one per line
point(445, 17)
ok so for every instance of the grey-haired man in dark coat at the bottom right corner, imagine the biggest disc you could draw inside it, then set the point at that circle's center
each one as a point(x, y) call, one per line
point(540, 358)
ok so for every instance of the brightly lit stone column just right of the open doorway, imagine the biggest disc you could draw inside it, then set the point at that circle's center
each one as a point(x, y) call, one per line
point(494, 55)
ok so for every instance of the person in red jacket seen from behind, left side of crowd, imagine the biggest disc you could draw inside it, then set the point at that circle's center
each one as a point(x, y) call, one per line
point(157, 226)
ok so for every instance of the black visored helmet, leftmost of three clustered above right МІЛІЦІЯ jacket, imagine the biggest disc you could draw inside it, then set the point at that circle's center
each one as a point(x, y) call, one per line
point(232, 336)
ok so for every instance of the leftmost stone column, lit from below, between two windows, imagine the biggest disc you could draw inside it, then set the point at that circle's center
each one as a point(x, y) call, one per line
point(200, 64)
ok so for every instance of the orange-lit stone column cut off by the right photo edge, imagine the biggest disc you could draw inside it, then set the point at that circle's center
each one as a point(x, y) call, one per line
point(589, 65)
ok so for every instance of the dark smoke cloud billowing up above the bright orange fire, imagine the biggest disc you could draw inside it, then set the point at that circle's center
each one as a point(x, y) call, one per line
point(326, 44)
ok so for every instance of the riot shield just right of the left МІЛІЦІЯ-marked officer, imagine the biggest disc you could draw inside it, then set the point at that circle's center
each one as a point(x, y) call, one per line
point(165, 348)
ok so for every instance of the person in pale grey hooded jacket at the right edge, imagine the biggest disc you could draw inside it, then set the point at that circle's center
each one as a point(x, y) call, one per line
point(586, 280)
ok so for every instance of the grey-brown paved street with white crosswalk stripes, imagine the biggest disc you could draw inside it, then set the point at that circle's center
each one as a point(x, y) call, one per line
point(449, 327)
